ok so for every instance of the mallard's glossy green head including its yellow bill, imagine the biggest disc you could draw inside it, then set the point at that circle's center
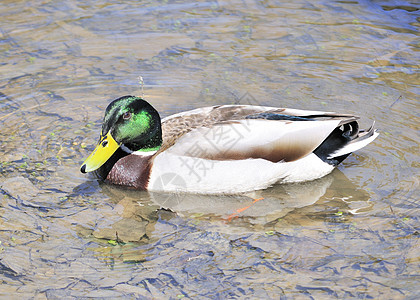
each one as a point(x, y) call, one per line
point(130, 123)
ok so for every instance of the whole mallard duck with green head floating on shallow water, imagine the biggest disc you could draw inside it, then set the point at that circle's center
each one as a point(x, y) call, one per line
point(220, 149)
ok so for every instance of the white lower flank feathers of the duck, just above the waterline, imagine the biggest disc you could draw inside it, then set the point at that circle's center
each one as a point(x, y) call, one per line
point(174, 173)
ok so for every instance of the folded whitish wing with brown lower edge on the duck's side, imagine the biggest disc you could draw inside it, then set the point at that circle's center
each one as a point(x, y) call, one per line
point(254, 138)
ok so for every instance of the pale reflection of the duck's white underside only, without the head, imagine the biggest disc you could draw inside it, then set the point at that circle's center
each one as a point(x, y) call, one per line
point(277, 200)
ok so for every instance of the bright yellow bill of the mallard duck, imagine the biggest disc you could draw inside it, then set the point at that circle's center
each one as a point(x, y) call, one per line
point(103, 151)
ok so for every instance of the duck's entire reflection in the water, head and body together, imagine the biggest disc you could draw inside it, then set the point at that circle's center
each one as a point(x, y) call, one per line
point(134, 215)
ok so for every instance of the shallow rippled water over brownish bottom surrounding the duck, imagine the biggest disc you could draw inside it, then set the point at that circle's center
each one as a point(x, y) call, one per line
point(351, 234)
